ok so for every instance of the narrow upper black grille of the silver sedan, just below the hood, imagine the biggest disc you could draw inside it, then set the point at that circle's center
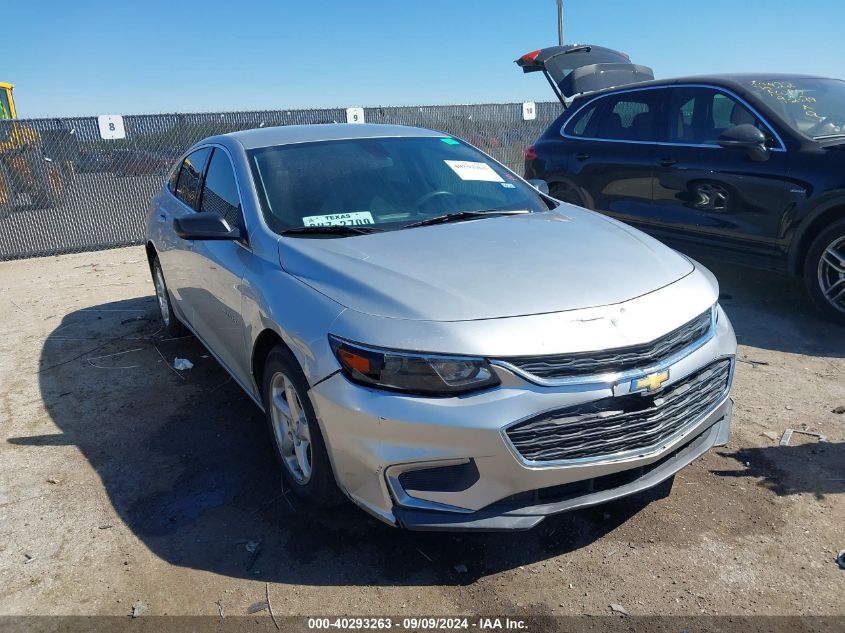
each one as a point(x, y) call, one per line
point(615, 360)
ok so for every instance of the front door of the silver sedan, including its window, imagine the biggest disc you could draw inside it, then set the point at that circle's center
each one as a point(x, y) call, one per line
point(219, 268)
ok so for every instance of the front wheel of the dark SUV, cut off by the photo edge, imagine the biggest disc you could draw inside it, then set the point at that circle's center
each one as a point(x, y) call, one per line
point(824, 272)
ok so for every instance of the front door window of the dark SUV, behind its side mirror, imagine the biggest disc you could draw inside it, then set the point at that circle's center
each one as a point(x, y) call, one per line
point(701, 115)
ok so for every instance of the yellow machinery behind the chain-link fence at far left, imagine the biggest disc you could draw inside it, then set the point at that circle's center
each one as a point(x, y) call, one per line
point(28, 175)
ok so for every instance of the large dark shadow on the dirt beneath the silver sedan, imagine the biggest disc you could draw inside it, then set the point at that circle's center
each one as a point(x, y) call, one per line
point(186, 462)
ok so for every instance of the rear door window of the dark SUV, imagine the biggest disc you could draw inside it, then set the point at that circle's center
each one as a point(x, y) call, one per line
point(630, 116)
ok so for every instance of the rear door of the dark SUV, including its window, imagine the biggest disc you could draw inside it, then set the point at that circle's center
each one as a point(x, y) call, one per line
point(609, 153)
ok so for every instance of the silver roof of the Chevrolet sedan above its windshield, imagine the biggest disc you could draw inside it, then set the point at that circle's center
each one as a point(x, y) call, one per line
point(288, 134)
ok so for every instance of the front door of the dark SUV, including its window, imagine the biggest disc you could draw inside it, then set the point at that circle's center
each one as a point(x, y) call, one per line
point(708, 194)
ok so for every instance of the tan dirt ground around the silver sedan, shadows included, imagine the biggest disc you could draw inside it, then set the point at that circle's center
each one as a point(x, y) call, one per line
point(122, 480)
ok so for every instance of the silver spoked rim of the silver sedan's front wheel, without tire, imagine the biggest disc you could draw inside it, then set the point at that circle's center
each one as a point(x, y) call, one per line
point(290, 428)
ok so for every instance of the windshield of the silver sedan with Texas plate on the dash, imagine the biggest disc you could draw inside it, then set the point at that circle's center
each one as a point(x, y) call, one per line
point(385, 183)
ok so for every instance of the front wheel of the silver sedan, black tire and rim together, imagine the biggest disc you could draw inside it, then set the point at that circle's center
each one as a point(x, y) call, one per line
point(299, 447)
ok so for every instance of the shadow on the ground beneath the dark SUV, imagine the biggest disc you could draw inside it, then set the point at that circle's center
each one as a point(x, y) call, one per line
point(772, 311)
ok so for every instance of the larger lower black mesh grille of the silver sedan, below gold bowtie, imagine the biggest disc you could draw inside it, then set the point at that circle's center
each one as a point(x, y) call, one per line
point(621, 424)
